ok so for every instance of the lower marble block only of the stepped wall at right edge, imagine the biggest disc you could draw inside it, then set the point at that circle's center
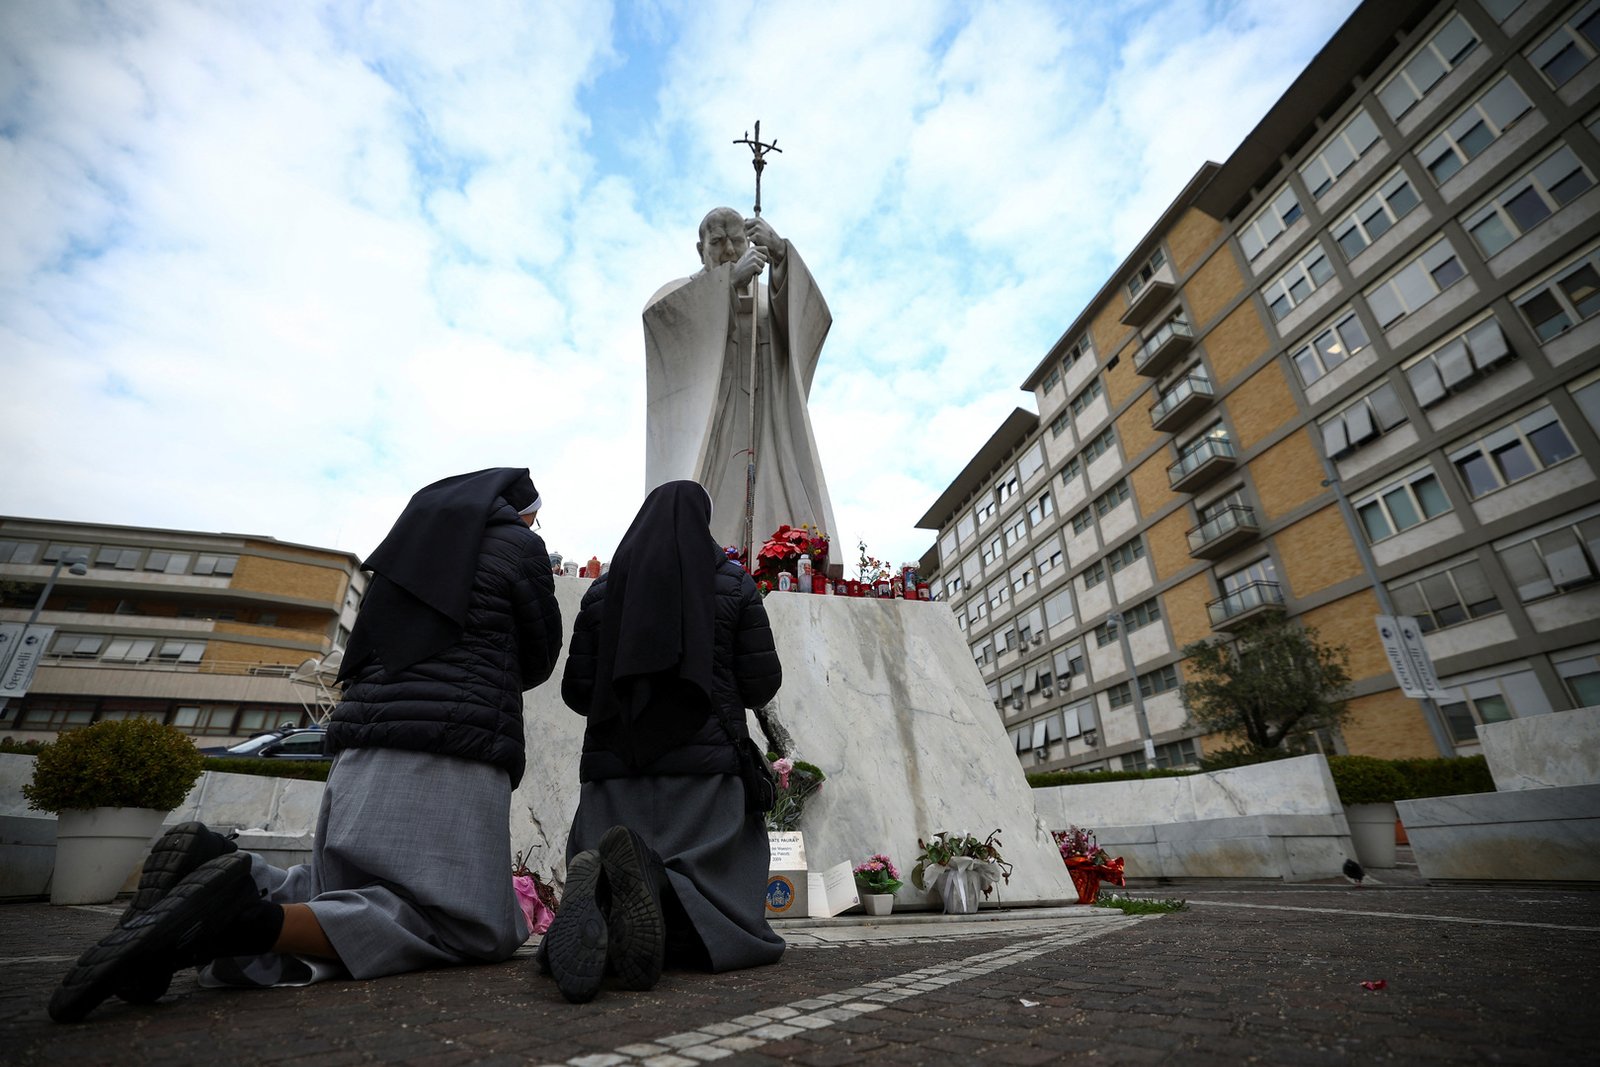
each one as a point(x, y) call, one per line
point(1526, 836)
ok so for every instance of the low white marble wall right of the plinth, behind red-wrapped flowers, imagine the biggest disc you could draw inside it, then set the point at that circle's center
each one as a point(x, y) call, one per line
point(1279, 820)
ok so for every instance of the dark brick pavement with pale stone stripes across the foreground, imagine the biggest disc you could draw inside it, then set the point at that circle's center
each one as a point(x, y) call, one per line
point(1252, 973)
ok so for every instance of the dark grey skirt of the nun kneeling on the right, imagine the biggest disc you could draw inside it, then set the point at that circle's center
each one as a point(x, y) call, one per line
point(716, 855)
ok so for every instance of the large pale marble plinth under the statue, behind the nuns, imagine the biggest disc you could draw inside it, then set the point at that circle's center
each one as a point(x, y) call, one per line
point(881, 695)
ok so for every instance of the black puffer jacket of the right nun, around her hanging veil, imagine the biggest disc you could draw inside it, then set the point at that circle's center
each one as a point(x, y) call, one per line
point(746, 673)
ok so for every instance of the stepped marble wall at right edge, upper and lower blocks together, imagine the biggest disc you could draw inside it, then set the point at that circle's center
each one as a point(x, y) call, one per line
point(1543, 825)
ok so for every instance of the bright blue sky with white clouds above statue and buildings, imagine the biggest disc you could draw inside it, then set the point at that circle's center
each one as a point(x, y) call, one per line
point(270, 268)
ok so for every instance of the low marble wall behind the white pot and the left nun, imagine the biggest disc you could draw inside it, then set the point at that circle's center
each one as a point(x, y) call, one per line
point(282, 810)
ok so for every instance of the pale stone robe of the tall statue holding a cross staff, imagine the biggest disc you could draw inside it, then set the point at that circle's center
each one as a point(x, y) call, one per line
point(698, 398)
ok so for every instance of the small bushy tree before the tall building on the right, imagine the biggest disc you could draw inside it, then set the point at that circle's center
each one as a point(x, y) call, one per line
point(1271, 682)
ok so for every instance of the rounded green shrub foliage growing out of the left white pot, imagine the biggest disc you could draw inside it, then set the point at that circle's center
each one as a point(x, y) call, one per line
point(116, 764)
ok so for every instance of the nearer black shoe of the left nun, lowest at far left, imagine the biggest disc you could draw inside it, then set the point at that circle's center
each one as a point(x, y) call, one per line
point(156, 943)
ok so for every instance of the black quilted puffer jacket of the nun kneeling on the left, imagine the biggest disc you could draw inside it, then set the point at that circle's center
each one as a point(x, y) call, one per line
point(466, 701)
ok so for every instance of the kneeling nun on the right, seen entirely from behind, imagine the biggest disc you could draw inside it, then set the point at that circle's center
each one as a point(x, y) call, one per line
point(666, 858)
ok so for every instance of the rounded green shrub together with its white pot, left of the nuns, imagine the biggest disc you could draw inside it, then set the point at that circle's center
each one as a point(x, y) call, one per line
point(110, 786)
